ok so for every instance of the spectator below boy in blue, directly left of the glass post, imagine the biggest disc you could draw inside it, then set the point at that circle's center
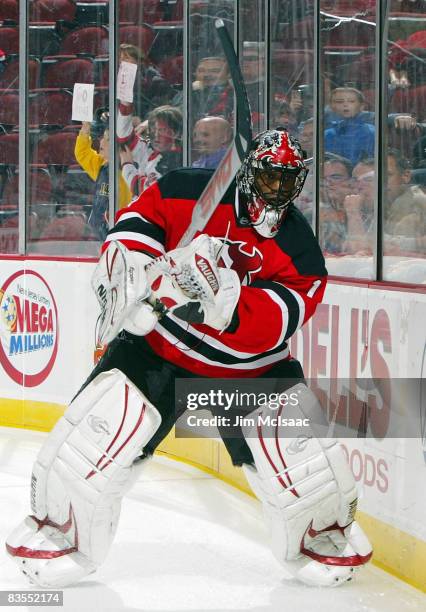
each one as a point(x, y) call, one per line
point(359, 210)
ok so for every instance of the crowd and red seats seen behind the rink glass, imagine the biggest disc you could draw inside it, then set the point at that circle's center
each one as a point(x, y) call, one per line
point(69, 180)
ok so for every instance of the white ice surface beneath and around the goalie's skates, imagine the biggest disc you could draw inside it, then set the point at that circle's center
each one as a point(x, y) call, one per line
point(186, 541)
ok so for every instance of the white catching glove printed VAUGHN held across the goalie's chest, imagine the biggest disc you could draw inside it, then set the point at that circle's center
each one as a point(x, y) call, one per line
point(188, 283)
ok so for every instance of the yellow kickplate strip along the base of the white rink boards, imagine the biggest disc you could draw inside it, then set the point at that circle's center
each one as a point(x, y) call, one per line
point(396, 552)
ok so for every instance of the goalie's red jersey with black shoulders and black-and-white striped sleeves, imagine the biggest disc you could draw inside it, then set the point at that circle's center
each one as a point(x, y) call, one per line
point(283, 278)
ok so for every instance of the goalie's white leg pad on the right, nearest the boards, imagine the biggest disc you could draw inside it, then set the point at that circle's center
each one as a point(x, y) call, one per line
point(308, 493)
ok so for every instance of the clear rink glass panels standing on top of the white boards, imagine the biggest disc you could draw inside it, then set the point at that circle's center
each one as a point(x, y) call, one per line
point(370, 221)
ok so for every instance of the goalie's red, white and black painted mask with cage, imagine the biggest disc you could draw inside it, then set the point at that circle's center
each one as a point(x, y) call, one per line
point(270, 178)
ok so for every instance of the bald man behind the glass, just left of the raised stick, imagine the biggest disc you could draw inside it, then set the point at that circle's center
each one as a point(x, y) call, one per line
point(212, 136)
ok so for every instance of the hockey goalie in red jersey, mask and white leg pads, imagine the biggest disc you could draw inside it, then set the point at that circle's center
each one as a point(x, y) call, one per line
point(225, 305)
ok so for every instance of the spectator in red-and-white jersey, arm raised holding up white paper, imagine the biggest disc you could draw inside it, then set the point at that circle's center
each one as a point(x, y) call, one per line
point(145, 158)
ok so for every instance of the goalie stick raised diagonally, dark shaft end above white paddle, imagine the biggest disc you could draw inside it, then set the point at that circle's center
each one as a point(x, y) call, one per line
point(231, 162)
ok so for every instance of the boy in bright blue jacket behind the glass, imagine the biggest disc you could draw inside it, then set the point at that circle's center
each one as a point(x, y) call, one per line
point(351, 136)
